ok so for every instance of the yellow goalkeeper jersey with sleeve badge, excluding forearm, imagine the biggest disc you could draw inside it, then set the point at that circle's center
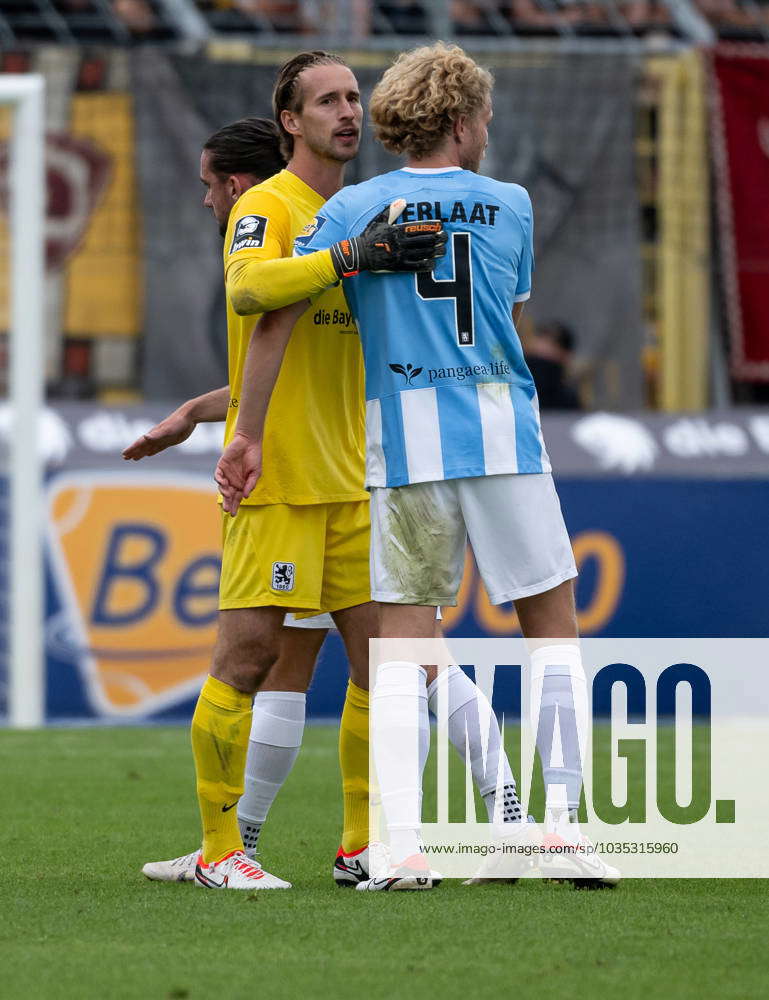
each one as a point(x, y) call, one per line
point(314, 435)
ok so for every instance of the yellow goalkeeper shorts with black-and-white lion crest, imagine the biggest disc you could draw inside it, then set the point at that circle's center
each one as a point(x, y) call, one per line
point(305, 559)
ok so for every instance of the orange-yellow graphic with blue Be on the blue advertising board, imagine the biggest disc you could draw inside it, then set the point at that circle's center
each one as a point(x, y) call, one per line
point(137, 561)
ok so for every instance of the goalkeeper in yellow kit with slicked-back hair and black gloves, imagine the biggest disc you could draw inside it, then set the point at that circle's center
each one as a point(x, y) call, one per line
point(302, 544)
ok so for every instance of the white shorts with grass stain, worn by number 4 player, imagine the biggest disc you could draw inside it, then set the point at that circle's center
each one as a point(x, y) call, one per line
point(514, 522)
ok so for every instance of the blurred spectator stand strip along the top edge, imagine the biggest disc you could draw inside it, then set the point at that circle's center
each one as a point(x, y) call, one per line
point(123, 22)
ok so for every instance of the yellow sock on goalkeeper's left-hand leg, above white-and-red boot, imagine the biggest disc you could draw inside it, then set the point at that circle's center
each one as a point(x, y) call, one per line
point(220, 728)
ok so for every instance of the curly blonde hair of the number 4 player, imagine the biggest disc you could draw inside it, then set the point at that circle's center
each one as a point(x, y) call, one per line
point(417, 101)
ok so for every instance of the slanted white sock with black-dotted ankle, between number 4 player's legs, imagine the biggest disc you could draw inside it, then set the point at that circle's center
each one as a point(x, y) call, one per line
point(473, 728)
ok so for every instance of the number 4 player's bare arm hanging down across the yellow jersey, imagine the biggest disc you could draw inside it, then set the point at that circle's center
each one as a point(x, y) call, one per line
point(240, 465)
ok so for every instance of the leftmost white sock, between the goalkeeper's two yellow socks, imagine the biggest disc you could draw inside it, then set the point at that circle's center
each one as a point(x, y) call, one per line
point(276, 736)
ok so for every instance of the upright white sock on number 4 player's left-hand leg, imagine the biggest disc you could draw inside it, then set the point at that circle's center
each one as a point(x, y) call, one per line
point(400, 731)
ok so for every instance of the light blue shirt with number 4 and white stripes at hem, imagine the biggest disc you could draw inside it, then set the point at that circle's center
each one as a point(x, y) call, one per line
point(448, 393)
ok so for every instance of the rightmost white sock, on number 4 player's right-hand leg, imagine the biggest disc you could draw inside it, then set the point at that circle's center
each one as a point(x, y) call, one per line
point(559, 689)
